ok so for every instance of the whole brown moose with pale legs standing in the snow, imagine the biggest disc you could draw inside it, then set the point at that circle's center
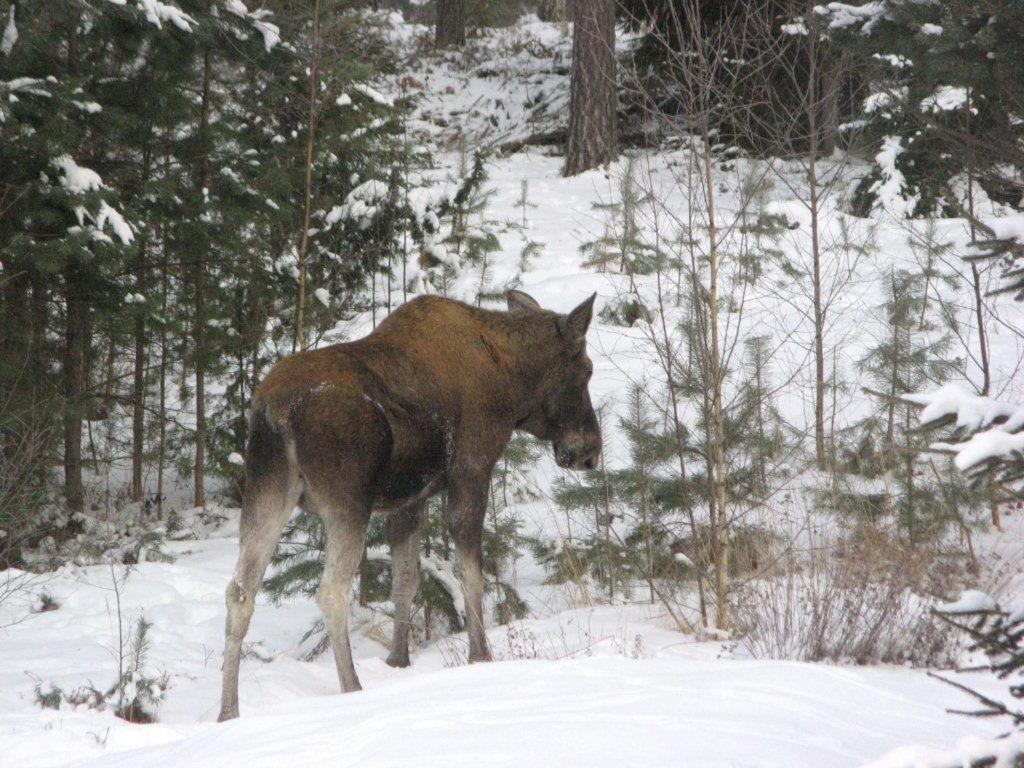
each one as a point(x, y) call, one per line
point(426, 403)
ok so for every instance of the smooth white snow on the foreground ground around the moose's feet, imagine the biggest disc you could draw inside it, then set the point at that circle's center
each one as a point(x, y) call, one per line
point(601, 687)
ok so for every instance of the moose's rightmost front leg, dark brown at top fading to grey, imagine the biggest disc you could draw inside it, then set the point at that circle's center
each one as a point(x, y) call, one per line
point(467, 507)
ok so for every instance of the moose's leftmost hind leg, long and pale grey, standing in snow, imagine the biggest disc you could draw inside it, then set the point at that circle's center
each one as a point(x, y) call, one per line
point(266, 510)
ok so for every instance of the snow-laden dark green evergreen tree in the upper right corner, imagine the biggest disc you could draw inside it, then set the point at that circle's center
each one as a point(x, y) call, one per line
point(945, 91)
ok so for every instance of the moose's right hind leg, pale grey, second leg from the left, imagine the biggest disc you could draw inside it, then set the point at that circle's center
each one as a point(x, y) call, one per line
point(346, 539)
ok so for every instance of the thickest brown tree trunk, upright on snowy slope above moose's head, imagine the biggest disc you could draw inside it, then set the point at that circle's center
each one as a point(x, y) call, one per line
point(593, 139)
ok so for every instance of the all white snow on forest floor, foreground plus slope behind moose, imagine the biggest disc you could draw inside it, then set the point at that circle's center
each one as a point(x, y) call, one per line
point(574, 685)
